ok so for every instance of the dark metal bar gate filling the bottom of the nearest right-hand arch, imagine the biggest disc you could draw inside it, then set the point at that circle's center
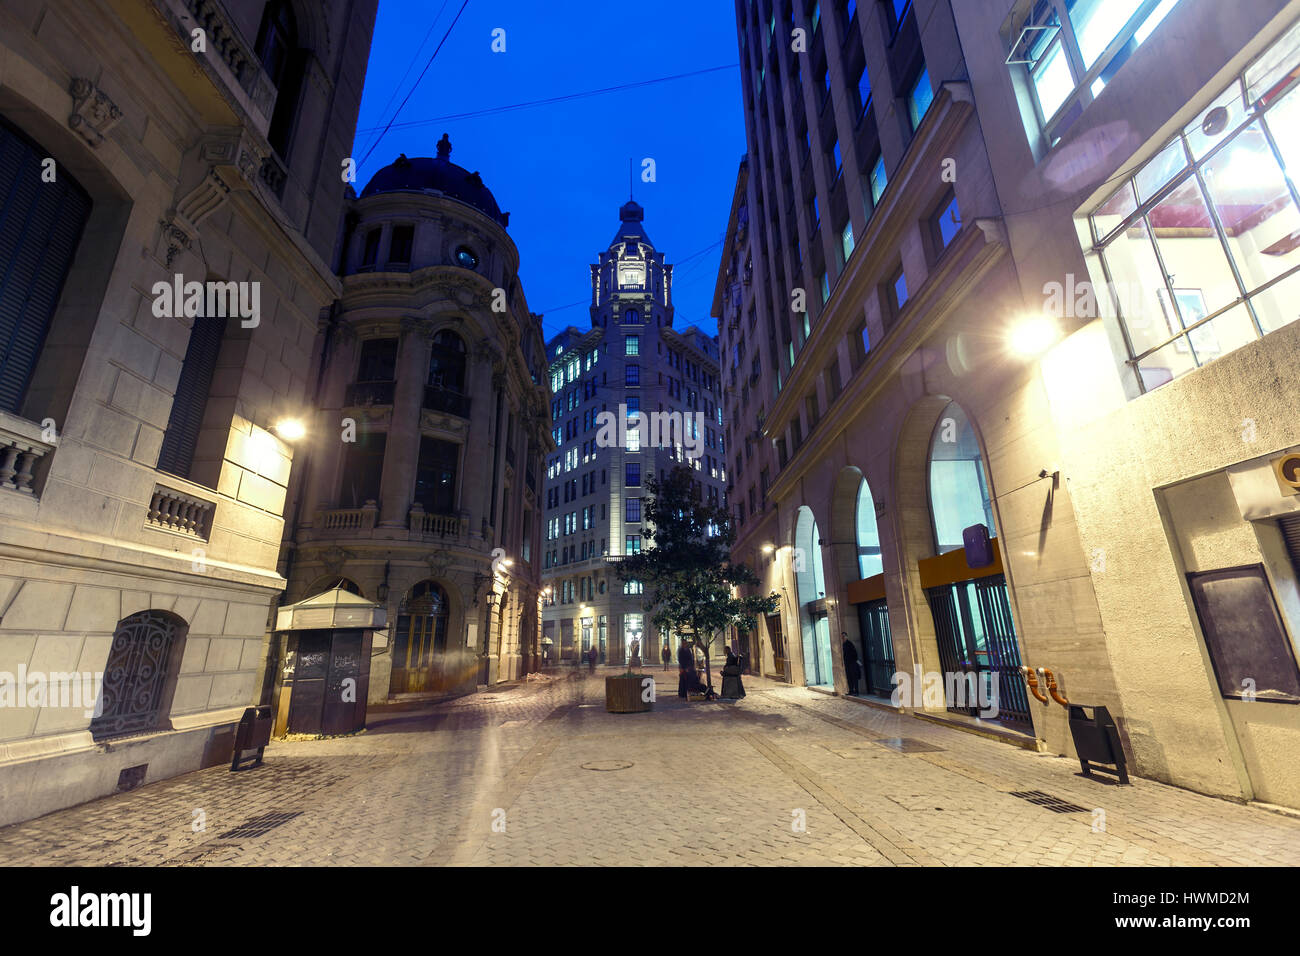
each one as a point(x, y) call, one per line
point(978, 650)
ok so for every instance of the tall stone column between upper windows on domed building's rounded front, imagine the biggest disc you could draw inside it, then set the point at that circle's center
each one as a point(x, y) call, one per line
point(402, 451)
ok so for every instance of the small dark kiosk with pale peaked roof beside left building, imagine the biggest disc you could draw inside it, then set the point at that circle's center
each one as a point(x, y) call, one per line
point(327, 665)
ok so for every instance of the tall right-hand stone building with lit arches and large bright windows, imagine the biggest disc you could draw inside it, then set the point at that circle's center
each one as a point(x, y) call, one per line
point(1046, 284)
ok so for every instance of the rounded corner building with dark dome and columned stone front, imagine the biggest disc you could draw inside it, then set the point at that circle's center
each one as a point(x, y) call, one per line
point(422, 495)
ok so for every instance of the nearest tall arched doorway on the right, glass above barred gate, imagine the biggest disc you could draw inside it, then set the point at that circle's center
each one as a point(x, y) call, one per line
point(972, 609)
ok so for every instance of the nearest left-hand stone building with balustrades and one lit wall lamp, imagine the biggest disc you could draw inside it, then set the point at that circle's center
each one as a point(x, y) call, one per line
point(142, 483)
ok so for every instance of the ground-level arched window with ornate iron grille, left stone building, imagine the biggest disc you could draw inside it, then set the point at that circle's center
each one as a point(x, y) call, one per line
point(140, 678)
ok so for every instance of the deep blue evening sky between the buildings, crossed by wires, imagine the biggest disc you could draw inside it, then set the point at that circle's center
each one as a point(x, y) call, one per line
point(561, 170)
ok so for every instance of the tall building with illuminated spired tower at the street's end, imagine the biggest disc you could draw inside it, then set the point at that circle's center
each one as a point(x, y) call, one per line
point(632, 367)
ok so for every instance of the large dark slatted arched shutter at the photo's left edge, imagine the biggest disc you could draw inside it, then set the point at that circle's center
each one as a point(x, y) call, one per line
point(41, 224)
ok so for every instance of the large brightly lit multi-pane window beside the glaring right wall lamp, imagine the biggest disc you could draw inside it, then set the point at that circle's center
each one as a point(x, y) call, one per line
point(1189, 252)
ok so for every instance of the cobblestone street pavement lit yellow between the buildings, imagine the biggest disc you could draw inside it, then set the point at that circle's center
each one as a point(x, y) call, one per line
point(499, 780)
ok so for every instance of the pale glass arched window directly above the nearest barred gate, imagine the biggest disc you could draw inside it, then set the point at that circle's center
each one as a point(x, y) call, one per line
point(959, 488)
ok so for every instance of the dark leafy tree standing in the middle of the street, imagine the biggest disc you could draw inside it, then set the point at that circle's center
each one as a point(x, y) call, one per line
point(691, 582)
